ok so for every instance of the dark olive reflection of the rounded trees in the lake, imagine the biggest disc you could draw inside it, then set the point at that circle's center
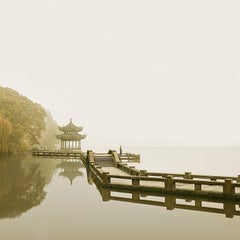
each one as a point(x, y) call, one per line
point(20, 189)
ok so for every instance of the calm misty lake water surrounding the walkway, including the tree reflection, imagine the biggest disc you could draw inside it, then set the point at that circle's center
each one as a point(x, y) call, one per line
point(42, 199)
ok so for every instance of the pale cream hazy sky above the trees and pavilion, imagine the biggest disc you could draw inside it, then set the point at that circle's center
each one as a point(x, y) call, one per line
point(136, 73)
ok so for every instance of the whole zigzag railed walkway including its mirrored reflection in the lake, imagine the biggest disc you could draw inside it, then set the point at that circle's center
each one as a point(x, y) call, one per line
point(117, 181)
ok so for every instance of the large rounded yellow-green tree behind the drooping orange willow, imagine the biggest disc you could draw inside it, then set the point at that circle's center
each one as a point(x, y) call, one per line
point(25, 116)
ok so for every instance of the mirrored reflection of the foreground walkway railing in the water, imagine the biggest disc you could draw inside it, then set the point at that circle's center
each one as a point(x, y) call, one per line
point(171, 202)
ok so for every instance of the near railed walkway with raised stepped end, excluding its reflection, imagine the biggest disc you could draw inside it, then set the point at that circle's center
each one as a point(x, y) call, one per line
point(111, 173)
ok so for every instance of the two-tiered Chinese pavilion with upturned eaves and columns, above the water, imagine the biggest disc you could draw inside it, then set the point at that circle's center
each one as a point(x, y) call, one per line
point(70, 138)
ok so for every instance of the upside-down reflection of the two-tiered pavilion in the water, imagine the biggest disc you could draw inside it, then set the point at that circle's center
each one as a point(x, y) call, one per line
point(70, 168)
